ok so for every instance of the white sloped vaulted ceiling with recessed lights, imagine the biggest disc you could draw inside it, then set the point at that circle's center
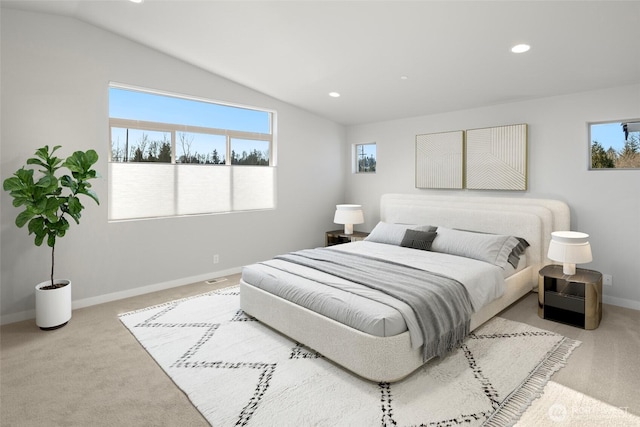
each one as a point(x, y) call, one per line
point(387, 59)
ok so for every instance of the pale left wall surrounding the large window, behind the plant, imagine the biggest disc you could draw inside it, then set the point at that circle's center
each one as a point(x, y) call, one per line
point(55, 76)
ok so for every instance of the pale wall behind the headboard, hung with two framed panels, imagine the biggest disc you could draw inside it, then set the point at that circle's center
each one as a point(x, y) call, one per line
point(604, 204)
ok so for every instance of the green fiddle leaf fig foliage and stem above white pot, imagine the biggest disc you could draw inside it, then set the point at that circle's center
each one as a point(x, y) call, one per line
point(48, 198)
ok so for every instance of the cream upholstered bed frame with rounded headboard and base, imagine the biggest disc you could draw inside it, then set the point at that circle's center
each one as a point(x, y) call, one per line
point(391, 358)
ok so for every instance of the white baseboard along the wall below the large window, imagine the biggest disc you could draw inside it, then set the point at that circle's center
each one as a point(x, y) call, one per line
point(101, 299)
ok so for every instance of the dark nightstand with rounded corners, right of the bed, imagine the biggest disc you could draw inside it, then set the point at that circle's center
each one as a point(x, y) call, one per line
point(575, 300)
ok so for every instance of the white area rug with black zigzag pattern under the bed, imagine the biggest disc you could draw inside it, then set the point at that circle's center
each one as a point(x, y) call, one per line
point(237, 371)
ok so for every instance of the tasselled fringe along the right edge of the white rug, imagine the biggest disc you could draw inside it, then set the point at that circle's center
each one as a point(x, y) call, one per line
point(512, 408)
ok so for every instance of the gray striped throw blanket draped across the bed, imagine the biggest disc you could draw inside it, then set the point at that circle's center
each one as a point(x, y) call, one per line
point(441, 304)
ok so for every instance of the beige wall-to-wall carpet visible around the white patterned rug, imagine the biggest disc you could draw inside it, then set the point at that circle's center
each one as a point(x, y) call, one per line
point(93, 372)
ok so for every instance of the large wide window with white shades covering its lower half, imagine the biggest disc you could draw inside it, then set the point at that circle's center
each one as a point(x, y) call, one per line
point(174, 155)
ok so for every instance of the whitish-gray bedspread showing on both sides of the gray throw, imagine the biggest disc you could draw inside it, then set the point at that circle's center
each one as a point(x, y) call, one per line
point(366, 309)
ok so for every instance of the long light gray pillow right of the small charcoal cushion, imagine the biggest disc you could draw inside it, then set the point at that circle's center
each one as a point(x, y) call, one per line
point(491, 248)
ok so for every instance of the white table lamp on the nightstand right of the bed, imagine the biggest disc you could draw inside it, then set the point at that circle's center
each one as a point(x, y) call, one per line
point(569, 248)
